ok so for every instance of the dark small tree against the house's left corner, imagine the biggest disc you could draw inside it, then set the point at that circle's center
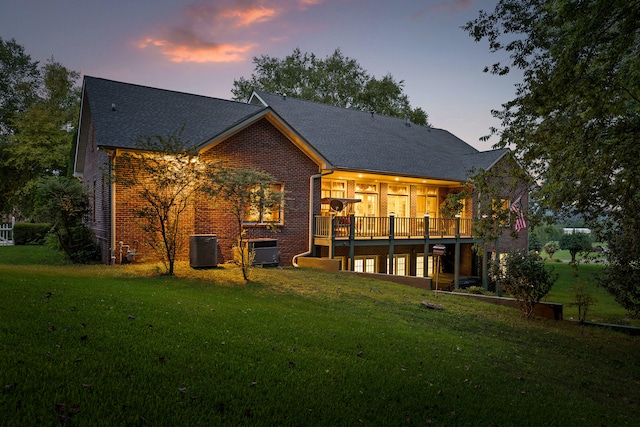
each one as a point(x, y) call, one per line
point(64, 203)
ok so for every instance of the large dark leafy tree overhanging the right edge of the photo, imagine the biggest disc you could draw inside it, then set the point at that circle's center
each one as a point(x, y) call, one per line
point(575, 120)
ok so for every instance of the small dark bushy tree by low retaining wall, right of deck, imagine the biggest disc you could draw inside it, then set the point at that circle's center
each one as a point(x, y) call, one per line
point(527, 279)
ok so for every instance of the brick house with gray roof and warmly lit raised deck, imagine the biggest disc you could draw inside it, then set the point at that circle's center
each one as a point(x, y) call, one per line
point(361, 188)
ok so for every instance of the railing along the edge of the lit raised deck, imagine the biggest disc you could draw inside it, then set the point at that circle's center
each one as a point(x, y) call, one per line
point(381, 227)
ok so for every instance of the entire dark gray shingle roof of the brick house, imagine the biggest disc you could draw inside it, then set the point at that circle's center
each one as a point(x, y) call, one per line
point(345, 139)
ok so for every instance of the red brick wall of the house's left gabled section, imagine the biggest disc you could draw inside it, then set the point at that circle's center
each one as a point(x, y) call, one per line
point(260, 146)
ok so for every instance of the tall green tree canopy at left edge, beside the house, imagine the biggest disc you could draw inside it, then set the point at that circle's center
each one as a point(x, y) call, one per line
point(38, 114)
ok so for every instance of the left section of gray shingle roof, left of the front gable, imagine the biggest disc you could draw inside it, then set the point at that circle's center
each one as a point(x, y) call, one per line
point(145, 111)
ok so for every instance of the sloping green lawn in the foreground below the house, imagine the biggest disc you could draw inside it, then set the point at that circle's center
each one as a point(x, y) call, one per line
point(99, 345)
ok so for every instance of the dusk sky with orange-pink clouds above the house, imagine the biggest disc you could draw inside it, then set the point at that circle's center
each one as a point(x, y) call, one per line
point(202, 46)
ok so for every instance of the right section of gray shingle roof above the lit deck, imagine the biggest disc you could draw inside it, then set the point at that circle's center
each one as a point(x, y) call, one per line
point(357, 140)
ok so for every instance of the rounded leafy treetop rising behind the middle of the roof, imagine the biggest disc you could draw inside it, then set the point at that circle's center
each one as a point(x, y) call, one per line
point(336, 80)
